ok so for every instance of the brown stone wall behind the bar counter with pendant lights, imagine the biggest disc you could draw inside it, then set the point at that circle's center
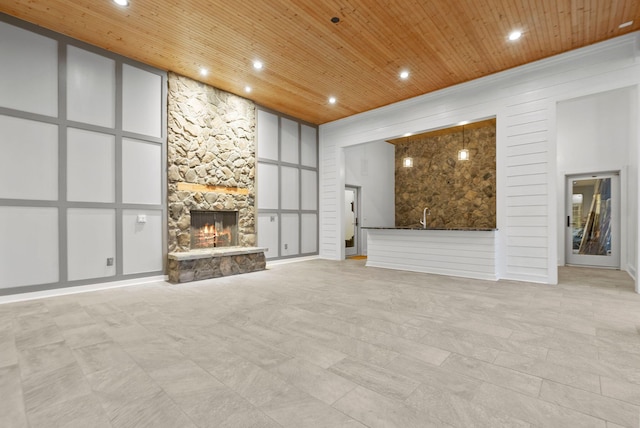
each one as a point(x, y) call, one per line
point(460, 194)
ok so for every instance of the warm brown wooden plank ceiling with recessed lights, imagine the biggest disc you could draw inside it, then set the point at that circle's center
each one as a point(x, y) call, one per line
point(307, 58)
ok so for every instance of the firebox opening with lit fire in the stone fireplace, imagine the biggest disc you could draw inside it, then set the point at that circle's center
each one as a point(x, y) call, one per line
point(211, 229)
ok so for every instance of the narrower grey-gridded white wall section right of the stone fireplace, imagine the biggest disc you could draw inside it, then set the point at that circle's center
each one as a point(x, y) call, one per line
point(287, 185)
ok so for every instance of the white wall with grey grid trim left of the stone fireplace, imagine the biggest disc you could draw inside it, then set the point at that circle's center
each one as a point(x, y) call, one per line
point(84, 149)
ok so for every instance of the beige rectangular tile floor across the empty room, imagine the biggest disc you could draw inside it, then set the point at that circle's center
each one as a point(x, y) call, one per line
point(327, 344)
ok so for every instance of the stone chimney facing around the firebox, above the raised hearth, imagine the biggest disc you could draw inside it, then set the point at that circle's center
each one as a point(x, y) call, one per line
point(211, 142)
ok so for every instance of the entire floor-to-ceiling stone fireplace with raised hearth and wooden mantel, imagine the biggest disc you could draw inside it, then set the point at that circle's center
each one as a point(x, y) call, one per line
point(211, 173)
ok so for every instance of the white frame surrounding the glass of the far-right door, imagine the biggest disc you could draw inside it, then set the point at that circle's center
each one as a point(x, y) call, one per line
point(617, 184)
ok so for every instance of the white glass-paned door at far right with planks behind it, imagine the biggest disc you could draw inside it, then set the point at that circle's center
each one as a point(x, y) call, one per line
point(593, 220)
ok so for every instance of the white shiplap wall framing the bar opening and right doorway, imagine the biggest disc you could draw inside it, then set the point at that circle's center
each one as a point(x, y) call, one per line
point(524, 102)
